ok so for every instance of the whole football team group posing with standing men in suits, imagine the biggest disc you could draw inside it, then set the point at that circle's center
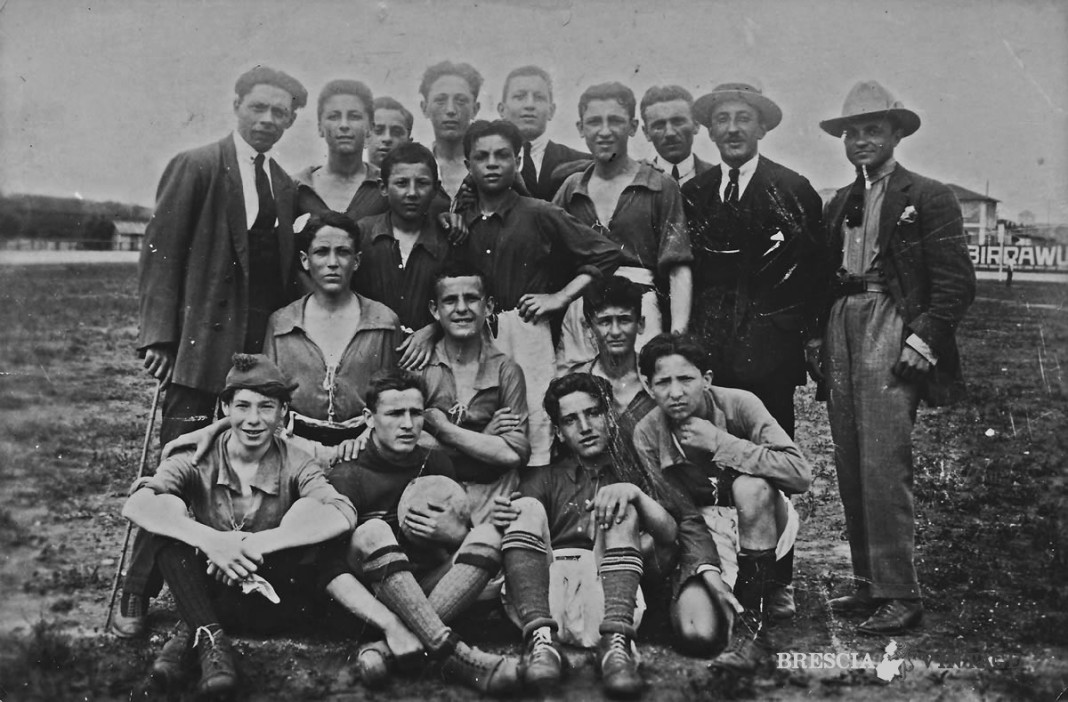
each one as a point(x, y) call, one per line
point(501, 369)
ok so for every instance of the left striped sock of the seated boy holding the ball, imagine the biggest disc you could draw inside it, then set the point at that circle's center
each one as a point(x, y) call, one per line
point(389, 572)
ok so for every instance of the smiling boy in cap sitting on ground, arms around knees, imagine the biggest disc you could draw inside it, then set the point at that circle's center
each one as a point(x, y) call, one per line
point(256, 502)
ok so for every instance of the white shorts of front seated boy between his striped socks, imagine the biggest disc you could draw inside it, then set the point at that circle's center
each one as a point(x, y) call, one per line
point(576, 598)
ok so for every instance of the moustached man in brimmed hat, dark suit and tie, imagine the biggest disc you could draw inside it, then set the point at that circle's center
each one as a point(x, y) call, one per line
point(760, 260)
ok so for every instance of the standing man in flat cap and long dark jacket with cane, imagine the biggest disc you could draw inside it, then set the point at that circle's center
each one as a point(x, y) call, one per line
point(218, 260)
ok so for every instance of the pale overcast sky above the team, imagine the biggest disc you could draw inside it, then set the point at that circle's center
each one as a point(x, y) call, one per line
point(99, 96)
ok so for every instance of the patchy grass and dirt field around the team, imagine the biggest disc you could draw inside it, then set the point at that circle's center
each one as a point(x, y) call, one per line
point(992, 497)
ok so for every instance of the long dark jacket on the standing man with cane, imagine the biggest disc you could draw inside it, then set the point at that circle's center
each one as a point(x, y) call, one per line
point(195, 262)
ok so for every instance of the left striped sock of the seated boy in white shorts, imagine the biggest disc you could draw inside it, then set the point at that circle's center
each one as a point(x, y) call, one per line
point(527, 575)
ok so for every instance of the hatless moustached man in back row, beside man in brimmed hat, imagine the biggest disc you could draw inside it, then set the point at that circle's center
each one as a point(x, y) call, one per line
point(668, 123)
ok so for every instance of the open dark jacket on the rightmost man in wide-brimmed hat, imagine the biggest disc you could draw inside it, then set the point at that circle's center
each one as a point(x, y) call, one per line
point(926, 267)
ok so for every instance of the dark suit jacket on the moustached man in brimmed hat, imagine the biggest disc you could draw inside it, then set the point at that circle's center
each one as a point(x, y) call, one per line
point(758, 273)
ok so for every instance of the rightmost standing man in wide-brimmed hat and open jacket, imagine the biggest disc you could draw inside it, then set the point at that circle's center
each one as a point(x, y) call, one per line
point(904, 284)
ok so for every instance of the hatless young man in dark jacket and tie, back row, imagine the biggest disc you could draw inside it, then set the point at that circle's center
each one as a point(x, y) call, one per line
point(527, 103)
